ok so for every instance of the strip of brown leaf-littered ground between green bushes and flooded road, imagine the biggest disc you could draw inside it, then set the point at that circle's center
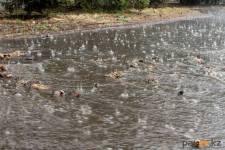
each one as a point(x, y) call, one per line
point(58, 21)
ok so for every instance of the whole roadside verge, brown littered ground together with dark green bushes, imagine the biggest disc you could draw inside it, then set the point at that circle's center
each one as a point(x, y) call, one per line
point(22, 18)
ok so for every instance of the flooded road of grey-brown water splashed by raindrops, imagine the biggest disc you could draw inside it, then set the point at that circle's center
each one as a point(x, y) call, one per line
point(124, 113)
